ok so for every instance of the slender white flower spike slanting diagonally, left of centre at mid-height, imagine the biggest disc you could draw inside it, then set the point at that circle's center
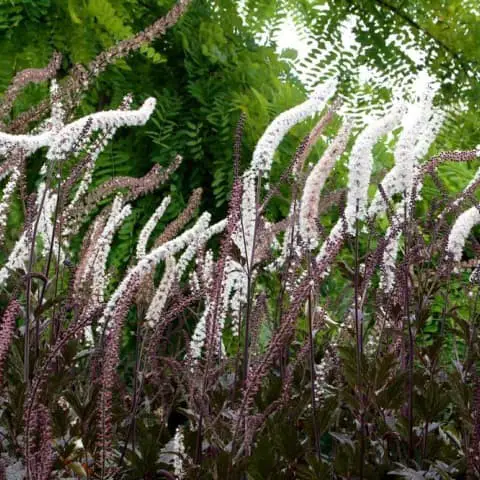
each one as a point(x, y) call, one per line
point(149, 261)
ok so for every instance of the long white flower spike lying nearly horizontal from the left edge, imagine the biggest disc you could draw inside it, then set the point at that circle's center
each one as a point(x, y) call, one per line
point(60, 143)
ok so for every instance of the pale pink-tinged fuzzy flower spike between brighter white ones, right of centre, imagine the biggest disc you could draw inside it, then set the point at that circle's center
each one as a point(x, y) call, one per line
point(313, 186)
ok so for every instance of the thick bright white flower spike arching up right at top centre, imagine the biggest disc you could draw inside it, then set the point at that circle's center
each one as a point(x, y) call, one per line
point(267, 145)
